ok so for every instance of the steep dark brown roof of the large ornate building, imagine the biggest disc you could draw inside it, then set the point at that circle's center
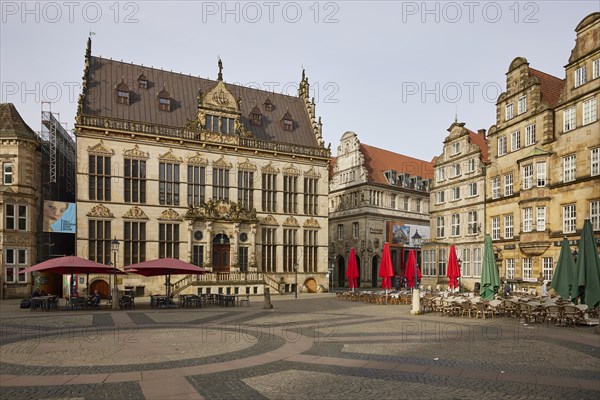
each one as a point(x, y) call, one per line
point(104, 75)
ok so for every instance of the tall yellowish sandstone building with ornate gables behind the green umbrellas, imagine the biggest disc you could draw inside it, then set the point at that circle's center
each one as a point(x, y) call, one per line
point(544, 153)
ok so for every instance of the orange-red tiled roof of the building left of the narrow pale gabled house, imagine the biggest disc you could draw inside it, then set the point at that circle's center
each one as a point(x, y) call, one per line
point(377, 161)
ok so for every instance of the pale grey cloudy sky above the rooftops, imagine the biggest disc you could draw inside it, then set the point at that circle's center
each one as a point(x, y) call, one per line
point(395, 72)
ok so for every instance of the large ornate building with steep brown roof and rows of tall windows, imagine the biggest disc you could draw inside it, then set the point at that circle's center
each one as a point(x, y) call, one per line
point(227, 177)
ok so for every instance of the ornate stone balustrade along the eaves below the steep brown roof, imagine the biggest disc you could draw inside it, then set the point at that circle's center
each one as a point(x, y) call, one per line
point(208, 137)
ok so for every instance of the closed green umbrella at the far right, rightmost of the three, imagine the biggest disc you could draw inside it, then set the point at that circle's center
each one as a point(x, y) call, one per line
point(586, 277)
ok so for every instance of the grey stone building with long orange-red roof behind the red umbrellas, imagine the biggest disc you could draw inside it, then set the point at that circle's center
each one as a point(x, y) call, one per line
point(376, 196)
